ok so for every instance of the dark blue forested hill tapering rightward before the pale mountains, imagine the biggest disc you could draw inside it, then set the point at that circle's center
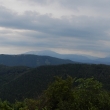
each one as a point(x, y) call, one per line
point(31, 60)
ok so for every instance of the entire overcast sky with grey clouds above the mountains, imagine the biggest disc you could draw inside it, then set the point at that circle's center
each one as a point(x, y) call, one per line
point(64, 26)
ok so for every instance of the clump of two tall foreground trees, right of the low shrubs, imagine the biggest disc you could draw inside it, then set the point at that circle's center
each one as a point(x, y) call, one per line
point(87, 95)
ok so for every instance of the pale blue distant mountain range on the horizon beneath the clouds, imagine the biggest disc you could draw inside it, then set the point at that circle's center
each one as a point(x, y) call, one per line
point(73, 57)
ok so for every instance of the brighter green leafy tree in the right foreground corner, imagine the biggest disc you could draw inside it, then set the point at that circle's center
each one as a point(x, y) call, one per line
point(89, 95)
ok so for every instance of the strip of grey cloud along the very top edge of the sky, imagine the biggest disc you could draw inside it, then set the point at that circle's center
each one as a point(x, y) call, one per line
point(74, 3)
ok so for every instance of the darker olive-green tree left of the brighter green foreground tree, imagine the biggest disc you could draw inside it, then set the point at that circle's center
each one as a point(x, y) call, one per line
point(60, 94)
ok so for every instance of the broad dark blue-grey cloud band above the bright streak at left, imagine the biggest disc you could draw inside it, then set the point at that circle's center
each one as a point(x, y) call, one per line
point(76, 26)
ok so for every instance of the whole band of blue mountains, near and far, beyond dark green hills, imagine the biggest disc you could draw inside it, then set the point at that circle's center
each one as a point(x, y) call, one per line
point(39, 58)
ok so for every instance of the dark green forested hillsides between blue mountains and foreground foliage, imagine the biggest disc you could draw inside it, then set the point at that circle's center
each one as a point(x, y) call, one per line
point(17, 83)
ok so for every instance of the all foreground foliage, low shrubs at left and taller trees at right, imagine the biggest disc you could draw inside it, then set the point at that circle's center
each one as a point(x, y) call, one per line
point(66, 94)
